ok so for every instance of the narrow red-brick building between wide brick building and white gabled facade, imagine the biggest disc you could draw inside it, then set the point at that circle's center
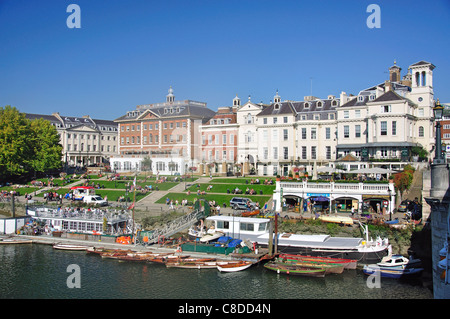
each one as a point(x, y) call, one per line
point(219, 141)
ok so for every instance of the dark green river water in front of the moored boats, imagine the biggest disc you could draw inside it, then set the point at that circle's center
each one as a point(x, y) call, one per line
point(40, 272)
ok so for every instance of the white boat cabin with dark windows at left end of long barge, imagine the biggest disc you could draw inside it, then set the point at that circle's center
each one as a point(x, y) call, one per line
point(240, 227)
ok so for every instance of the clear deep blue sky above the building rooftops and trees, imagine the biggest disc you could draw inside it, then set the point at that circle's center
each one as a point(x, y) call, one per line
point(128, 53)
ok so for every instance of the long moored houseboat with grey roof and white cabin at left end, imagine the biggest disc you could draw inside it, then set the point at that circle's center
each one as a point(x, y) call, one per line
point(256, 230)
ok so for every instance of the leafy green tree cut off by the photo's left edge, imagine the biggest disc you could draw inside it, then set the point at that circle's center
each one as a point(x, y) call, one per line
point(16, 152)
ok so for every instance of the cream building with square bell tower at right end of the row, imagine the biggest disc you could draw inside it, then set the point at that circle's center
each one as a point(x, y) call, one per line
point(387, 120)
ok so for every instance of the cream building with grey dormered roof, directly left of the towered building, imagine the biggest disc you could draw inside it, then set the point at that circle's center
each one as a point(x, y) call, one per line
point(295, 134)
